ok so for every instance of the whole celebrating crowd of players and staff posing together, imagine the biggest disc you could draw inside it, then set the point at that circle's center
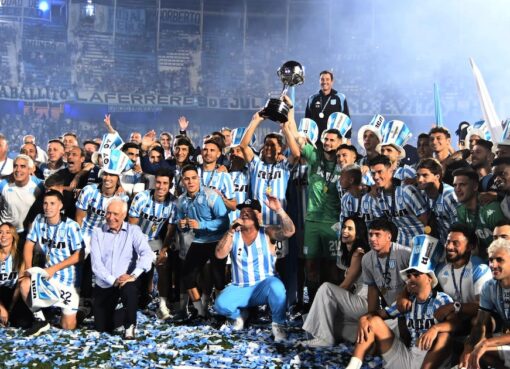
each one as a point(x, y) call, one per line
point(411, 262)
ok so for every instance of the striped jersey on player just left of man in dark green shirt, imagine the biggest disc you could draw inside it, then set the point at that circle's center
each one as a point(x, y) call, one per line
point(445, 209)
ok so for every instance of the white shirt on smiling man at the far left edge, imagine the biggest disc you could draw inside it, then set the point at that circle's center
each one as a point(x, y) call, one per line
point(16, 201)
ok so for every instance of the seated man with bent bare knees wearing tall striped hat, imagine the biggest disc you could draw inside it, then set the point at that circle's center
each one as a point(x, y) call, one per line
point(429, 339)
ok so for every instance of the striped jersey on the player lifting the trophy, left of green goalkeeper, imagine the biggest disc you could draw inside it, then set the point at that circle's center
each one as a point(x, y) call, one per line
point(265, 177)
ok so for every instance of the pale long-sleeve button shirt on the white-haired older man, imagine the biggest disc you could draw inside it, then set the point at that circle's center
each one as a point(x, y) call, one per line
point(114, 254)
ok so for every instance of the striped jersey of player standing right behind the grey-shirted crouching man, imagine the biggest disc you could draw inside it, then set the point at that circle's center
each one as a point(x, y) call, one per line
point(403, 208)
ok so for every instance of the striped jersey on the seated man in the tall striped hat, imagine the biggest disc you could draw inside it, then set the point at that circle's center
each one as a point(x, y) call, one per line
point(421, 316)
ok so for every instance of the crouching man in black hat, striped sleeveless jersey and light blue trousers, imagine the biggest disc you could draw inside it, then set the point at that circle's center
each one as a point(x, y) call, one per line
point(253, 253)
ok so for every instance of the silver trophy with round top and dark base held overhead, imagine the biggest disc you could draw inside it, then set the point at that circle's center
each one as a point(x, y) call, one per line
point(291, 73)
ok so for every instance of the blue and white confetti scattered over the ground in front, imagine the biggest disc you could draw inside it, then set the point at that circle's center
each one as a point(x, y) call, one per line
point(164, 345)
